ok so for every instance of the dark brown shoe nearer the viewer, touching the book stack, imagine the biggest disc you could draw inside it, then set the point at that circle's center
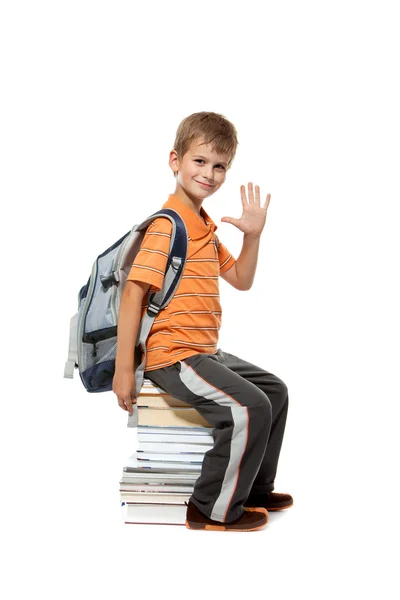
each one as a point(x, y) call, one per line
point(253, 518)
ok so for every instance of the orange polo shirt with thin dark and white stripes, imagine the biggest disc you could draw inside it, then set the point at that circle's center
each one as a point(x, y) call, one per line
point(191, 321)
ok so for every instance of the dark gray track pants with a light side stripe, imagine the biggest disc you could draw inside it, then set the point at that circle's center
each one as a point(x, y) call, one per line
point(247, 407)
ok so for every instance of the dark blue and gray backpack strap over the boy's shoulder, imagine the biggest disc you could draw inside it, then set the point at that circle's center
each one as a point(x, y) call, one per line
point(158, 300)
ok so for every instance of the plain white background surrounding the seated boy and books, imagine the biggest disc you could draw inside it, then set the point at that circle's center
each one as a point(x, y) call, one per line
point(92, 94)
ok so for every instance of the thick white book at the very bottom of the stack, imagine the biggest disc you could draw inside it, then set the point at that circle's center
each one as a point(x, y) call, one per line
point(163, 514)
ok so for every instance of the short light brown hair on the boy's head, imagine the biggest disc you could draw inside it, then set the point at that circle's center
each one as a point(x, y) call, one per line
point(215, 129)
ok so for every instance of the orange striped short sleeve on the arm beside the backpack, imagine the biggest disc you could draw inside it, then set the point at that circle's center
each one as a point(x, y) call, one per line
point(151, 260)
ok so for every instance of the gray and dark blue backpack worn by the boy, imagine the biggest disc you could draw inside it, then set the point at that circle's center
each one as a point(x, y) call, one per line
point(93, 329)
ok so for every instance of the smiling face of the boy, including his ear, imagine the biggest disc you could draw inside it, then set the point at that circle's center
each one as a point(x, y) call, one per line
point(202, 171)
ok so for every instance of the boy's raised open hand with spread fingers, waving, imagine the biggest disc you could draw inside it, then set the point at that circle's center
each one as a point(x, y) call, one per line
point(254, 215)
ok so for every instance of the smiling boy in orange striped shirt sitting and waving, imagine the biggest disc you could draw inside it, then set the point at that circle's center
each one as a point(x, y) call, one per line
point(245, 405)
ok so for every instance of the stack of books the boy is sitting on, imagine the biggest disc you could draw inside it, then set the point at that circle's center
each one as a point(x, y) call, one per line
point(158, 479)
